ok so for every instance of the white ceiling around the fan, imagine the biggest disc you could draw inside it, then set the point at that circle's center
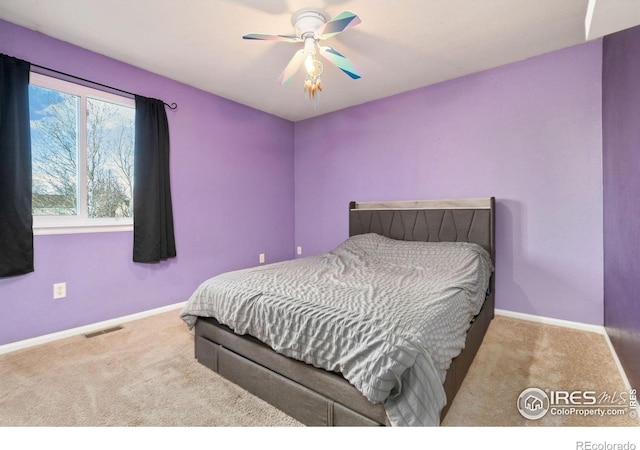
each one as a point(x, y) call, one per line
point(399, 46)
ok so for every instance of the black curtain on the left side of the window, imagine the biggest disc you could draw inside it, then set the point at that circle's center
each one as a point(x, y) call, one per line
point(16, 221)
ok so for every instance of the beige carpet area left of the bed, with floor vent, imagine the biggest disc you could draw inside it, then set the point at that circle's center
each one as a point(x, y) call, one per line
point(142, 375)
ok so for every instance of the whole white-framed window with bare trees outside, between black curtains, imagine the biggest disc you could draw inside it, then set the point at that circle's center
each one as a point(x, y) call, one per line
point(82, 153)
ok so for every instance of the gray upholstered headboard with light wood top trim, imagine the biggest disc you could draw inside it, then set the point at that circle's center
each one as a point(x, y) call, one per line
point(457, 220)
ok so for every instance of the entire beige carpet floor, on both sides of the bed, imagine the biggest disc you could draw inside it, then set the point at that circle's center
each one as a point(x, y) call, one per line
point(145, 375)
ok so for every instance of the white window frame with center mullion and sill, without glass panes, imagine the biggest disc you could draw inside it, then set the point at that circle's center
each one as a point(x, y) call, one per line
point(73, 224)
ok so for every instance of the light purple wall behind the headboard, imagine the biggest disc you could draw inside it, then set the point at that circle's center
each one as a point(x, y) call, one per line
point(528, 133)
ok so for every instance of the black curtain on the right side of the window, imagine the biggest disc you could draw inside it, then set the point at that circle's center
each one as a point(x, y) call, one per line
point(153, 238)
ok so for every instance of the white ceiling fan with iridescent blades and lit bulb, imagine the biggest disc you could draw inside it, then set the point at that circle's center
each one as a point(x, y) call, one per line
point(312, 26)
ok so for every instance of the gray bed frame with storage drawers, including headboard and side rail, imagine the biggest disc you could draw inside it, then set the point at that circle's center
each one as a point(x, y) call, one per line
point(317, 397)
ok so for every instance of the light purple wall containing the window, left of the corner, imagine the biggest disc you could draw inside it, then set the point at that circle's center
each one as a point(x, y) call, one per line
point(232, 186)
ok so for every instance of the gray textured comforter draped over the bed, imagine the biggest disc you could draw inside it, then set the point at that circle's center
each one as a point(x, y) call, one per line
point(389, 315)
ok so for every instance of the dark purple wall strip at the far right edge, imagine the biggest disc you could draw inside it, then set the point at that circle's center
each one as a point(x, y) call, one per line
point(621, 162)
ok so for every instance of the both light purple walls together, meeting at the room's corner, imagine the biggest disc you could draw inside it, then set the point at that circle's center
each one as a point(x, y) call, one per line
point(529, 134)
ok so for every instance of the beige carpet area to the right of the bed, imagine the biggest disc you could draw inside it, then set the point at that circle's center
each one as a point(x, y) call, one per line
point(517, 355)
